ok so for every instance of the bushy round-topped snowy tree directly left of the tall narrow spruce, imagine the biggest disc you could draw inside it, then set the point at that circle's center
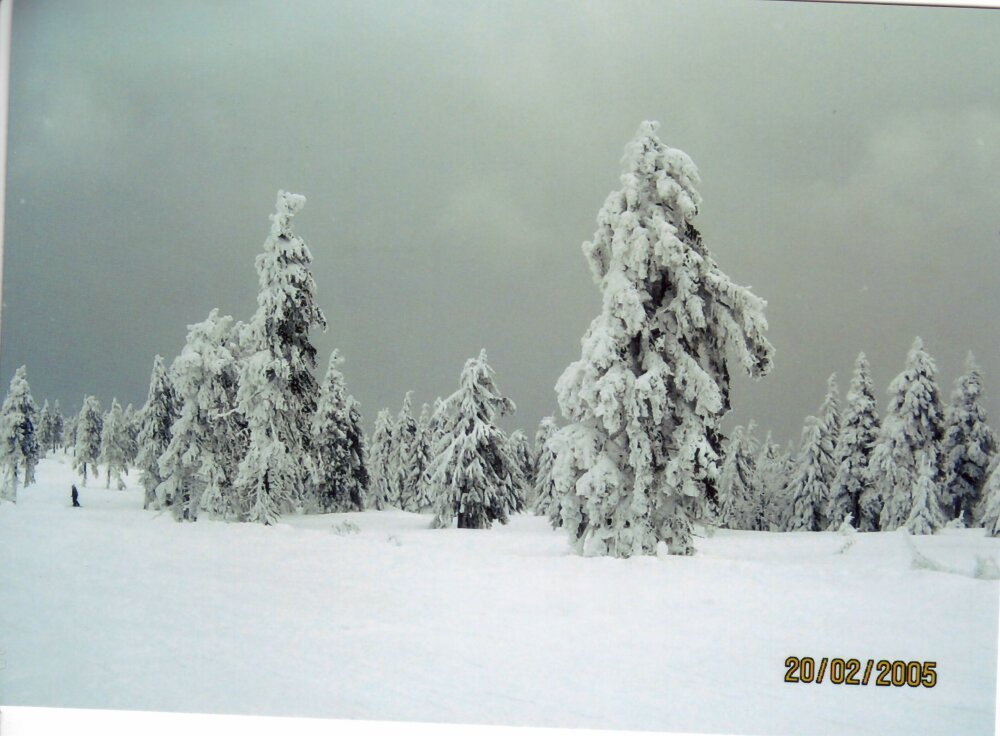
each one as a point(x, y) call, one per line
point(207, 438)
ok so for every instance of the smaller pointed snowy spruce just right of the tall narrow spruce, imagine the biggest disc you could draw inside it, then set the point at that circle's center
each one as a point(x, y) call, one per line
point(337, 460)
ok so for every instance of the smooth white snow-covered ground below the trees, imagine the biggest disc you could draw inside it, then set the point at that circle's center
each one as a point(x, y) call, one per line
point(110, 606)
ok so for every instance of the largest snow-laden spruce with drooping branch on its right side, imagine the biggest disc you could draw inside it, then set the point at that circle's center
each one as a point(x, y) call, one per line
point(637, 462)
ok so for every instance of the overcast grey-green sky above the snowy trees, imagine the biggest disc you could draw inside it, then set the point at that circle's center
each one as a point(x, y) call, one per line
point(454, 156)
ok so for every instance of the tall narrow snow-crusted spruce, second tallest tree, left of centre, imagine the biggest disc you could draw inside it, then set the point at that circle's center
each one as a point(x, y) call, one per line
point(277, 390)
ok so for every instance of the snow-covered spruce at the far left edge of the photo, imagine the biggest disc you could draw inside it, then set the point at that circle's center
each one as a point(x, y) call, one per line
point(18, 436)
